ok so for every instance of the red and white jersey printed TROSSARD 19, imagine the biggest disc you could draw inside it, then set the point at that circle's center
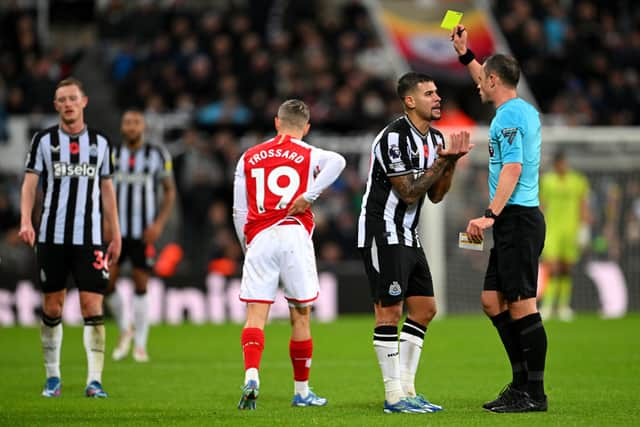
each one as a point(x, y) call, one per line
point(275, 173)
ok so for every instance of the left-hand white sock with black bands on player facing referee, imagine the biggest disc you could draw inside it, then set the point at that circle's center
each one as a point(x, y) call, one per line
point(385, 344)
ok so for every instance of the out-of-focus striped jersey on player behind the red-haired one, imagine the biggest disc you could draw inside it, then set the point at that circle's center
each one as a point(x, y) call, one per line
point(137, 173)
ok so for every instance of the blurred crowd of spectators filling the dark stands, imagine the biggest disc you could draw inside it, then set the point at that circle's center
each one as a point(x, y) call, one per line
point(226, 69)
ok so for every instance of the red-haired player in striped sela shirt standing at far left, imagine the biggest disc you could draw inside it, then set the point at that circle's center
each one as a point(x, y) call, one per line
point(74, 163)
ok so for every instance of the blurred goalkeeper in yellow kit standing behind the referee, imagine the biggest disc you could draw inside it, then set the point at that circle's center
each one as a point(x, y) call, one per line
point(564, 200)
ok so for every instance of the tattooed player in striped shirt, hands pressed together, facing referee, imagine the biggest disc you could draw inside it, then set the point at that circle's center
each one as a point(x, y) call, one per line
point(408, 161)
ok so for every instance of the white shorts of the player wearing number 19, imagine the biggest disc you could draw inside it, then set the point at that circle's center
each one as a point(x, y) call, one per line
point(282, 252)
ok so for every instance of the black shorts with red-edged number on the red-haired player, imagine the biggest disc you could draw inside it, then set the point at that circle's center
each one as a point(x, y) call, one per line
point(86, 264)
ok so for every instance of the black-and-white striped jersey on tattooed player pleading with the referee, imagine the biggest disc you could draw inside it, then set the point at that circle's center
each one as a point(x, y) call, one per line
point(399, 149)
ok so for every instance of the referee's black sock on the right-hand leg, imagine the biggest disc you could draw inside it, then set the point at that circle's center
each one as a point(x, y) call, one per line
point(533, 339)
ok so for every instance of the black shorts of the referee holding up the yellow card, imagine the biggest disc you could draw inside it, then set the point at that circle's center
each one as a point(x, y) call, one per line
point(518, 236)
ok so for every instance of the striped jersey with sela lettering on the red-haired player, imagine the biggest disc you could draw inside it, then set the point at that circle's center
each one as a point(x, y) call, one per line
point(71, 167)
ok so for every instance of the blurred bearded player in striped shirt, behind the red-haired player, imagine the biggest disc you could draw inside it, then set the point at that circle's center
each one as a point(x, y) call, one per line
point(139, 167)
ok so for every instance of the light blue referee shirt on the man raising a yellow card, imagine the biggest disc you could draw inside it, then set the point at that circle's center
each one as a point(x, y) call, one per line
point(514, 137)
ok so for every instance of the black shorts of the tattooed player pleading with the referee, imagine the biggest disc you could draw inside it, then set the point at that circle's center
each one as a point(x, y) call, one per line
point(396, 272)
